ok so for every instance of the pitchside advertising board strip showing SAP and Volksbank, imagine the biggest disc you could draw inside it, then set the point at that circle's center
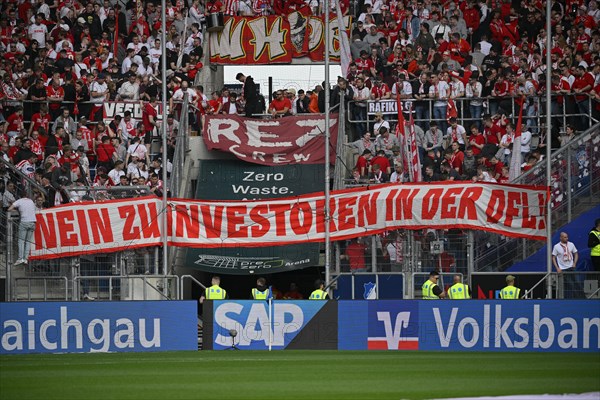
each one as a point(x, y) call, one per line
point(482, 325)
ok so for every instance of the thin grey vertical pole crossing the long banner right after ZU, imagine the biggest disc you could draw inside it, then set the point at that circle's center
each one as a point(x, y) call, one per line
point(164, 134)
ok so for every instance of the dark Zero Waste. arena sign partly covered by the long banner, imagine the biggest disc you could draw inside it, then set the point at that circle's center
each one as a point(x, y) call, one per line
point(238, 180)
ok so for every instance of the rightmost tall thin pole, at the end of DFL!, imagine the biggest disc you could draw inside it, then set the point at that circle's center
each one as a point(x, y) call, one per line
point(548, 150)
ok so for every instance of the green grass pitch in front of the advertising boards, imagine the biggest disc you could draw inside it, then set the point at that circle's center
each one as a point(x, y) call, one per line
point(294, 375)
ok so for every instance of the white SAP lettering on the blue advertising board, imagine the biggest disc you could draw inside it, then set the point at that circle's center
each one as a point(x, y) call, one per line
point(253, 324)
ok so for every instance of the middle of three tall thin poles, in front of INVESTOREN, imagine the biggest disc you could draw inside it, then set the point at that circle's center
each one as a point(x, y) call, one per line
point(327, 166)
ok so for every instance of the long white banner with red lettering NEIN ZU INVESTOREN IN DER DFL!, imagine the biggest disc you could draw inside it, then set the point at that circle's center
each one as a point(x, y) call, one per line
point(87, 228)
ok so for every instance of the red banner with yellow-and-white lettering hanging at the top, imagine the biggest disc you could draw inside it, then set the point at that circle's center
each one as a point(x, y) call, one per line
point(275, 39)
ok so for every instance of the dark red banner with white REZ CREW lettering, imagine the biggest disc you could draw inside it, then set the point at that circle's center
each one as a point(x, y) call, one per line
point(281, 141)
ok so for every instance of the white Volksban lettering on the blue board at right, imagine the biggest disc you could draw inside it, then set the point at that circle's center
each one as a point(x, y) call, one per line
point(527, 329)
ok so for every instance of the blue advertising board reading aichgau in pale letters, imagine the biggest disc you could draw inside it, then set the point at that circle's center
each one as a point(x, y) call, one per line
point(84, 327)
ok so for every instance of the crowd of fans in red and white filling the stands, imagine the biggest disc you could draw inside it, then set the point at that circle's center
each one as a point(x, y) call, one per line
point(62, 60)
